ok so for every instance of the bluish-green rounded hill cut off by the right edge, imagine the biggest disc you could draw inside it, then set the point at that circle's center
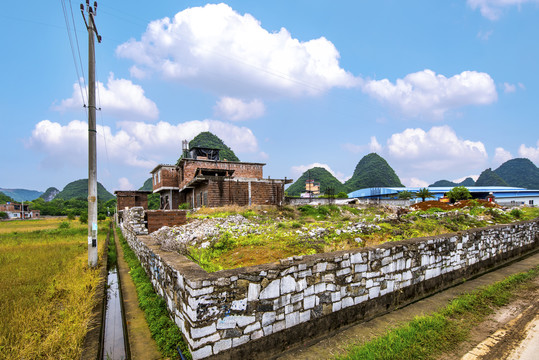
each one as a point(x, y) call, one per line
point(519, 172)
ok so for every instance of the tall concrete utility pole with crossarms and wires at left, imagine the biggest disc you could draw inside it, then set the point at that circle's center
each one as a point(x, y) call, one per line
point(92, 132)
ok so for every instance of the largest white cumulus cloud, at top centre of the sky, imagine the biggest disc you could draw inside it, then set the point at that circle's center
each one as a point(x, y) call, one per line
point(227, 53)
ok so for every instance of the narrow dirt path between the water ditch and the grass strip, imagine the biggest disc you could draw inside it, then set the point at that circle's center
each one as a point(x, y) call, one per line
point(142, 346)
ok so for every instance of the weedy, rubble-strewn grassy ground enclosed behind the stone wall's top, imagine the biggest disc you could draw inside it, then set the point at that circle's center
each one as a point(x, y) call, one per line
point(277, 233)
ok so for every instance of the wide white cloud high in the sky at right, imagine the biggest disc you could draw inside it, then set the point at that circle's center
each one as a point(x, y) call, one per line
point(431, 95)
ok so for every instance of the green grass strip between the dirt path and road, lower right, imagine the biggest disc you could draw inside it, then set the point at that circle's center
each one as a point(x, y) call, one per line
point(427, 337)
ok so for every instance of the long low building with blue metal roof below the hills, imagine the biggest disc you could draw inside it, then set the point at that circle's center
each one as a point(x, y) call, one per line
point(502, 194)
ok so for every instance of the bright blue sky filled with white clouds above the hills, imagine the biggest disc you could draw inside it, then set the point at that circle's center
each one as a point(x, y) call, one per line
point(440, 89)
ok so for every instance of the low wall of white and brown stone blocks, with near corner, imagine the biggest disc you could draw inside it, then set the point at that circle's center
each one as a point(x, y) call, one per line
point(258, 311)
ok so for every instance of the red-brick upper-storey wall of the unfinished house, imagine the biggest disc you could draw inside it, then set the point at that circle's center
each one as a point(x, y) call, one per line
point(188, 168)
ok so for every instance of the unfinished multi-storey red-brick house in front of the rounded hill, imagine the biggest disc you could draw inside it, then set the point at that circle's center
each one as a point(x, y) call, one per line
point(201, 178)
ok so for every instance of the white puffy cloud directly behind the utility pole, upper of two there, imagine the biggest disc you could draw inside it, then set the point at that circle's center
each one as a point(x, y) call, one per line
point(119, 98)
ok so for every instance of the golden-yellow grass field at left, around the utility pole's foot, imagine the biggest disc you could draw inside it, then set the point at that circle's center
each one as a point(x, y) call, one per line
point(46, 288)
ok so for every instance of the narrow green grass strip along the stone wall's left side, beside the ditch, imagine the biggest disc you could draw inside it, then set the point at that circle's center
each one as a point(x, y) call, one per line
point(165, 332)
